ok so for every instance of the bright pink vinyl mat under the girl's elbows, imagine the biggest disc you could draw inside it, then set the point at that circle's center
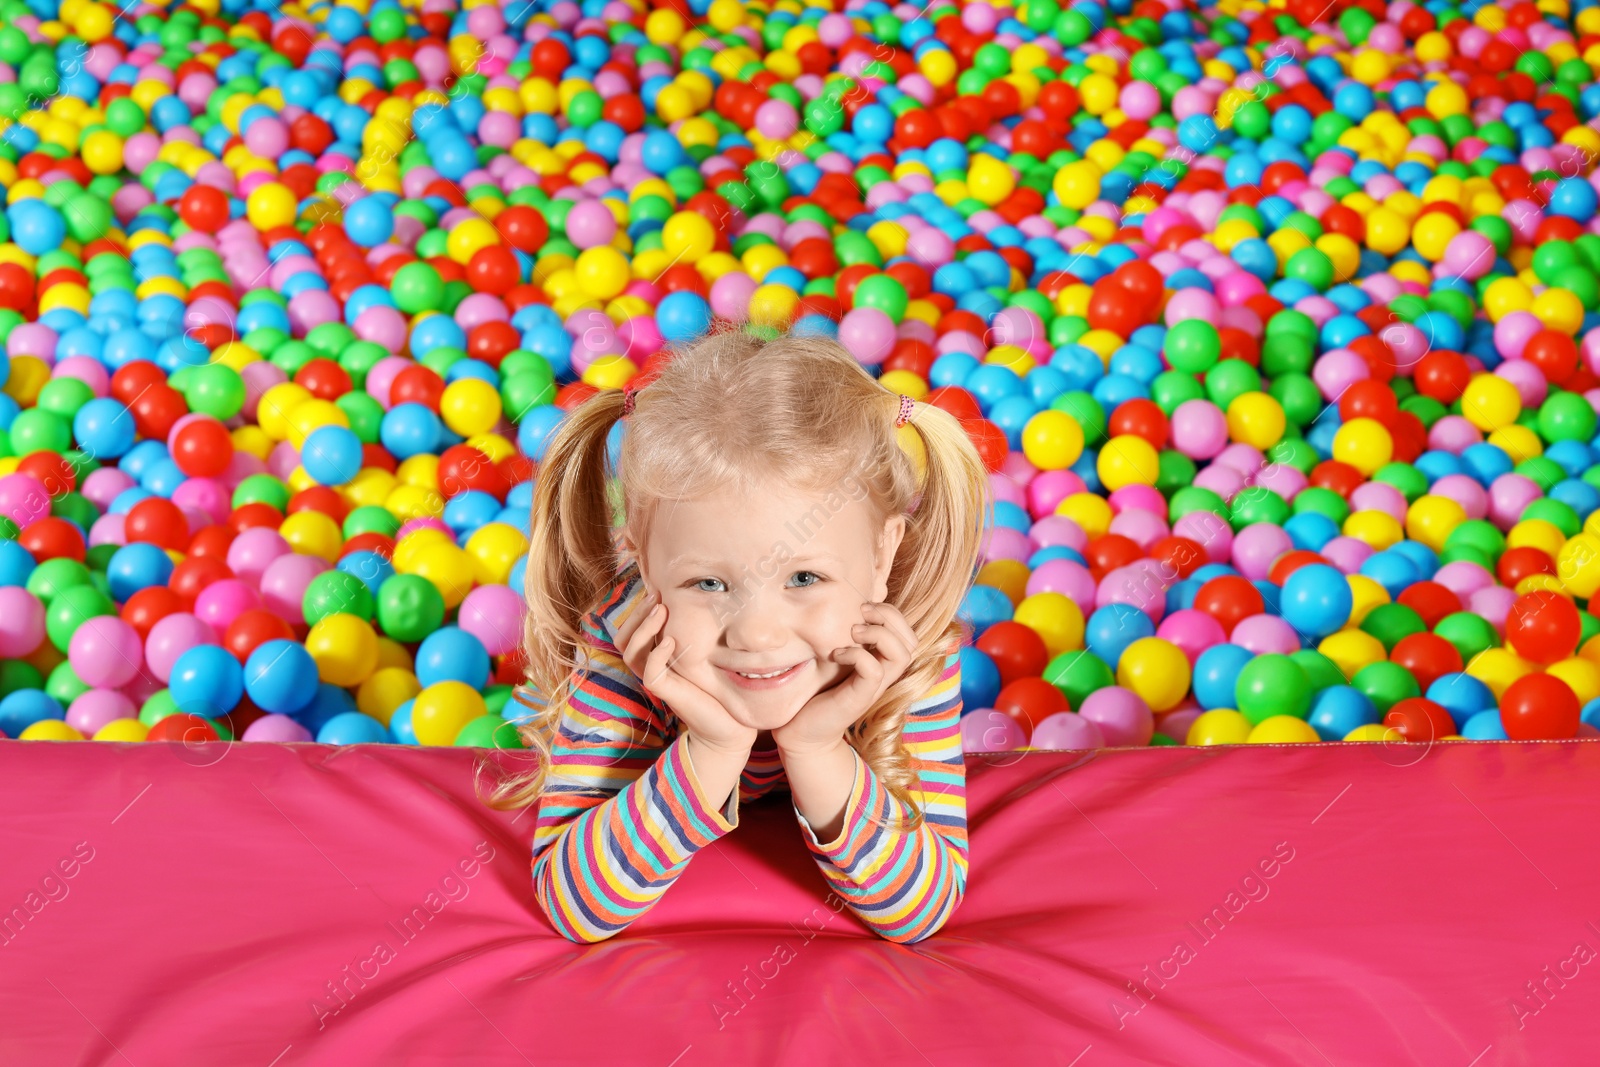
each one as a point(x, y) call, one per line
point(1346, 905)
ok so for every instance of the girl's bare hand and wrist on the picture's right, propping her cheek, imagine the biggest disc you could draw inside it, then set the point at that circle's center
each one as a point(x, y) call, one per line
point(825, 719)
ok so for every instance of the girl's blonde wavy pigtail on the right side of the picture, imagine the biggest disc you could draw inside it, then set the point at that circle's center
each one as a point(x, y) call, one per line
point(943, 540)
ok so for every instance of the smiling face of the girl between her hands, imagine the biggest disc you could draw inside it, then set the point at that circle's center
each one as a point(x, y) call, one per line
point(767, 583)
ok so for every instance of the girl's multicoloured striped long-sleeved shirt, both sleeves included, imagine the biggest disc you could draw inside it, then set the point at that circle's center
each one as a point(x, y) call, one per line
point(623, 813)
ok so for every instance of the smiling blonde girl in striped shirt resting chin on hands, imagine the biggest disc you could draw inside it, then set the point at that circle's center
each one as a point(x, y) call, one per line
point(778, 609)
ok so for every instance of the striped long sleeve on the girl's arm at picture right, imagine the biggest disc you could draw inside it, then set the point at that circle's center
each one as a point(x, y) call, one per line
point(905, 885)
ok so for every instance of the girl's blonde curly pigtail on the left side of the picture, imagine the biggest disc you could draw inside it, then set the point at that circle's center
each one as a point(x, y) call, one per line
point(572, 562)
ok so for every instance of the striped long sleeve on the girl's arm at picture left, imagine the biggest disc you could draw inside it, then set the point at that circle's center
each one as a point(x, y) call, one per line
point(623, 812)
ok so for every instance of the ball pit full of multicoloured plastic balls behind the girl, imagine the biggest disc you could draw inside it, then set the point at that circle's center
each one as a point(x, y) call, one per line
point(1279, 330)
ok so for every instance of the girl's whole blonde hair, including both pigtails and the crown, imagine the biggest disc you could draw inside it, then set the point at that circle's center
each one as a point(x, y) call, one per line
point(735, 412)
